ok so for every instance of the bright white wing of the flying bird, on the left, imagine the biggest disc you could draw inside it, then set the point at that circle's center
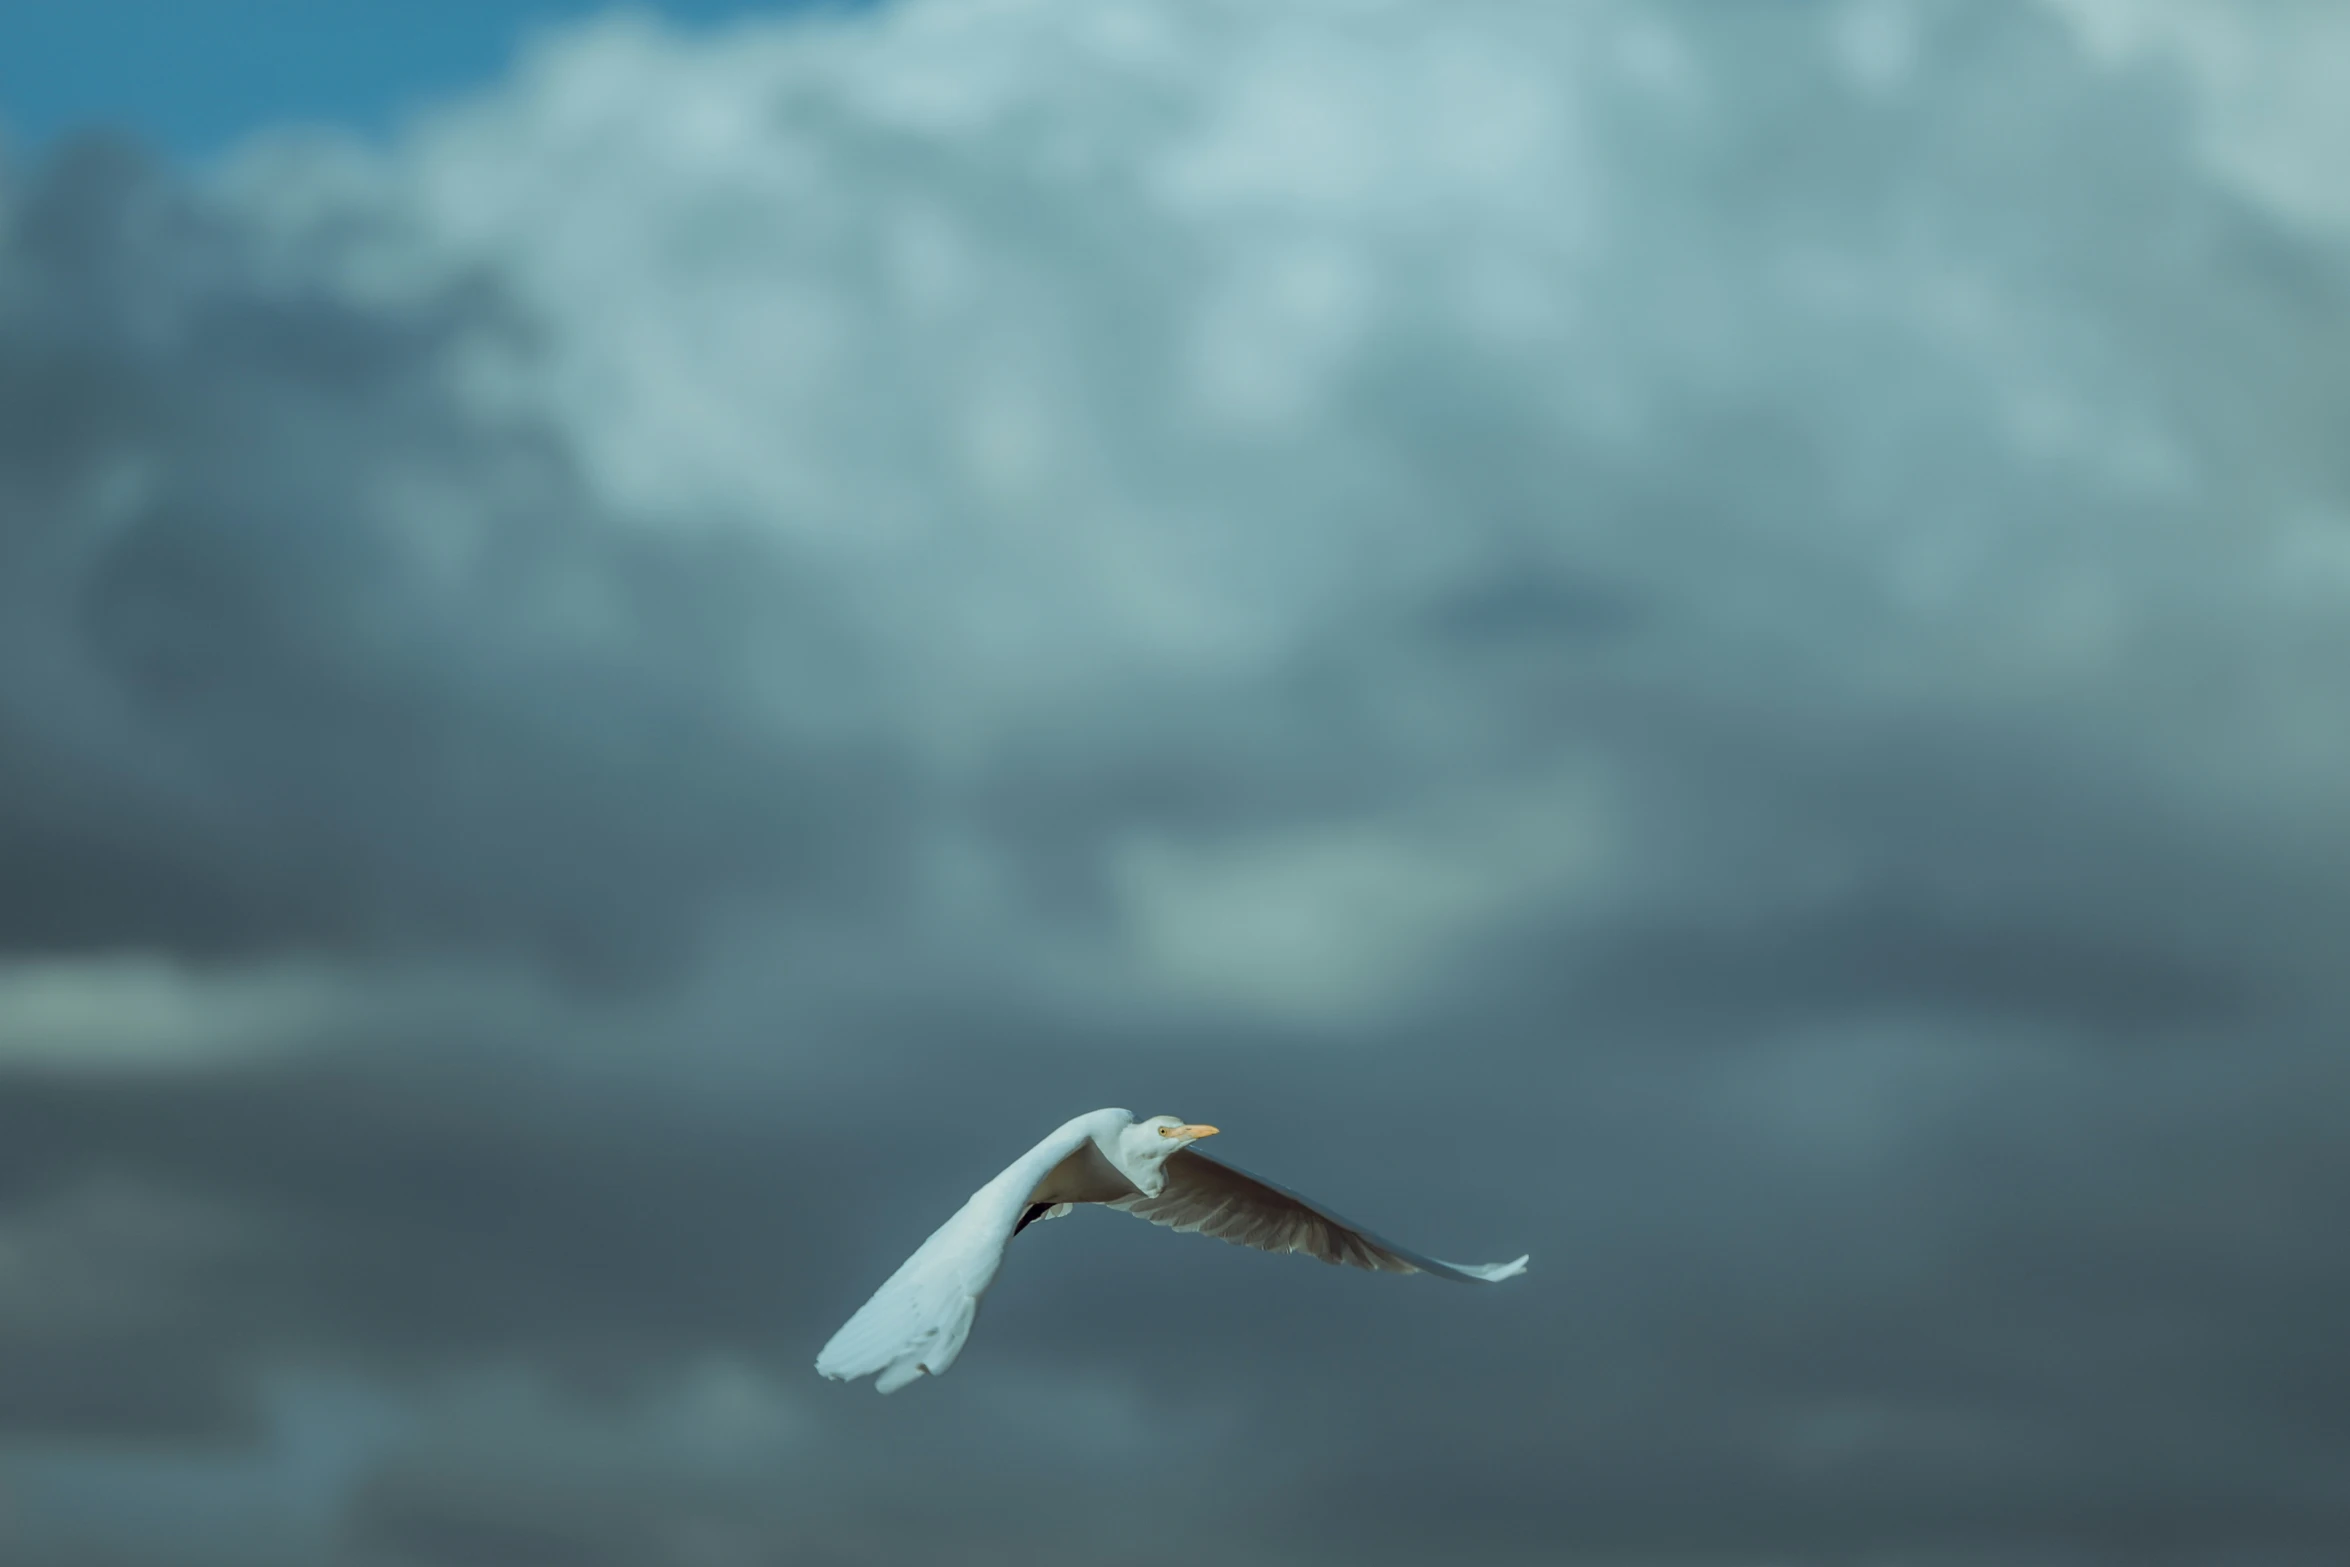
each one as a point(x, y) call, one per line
point(922, 1314)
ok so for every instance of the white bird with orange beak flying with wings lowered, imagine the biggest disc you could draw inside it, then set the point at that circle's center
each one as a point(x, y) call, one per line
point(918, 1321)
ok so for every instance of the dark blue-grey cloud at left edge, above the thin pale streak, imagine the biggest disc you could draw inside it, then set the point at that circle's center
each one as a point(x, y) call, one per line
point(304, 654)
